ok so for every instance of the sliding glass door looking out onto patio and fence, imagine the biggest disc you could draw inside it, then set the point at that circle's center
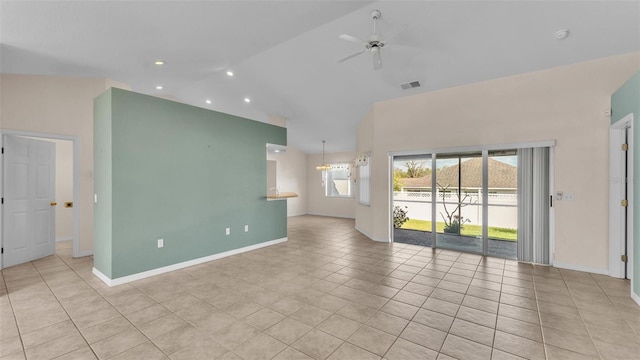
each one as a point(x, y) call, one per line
point(460, 201)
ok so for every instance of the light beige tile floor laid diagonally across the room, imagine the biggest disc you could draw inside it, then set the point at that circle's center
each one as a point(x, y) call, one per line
point(327, 293)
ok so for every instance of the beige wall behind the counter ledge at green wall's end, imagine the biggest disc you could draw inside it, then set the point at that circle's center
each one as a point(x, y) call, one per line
point(291, 173)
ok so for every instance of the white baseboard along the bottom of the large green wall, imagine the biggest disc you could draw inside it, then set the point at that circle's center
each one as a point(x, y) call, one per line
point(182, 265)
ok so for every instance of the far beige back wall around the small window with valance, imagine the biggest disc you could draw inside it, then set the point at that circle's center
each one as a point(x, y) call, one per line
point(317, 202)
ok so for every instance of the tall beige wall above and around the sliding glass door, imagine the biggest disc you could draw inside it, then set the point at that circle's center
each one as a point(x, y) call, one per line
point(567, 104)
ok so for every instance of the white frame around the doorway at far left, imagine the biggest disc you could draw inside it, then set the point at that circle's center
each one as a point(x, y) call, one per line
point(76, 172)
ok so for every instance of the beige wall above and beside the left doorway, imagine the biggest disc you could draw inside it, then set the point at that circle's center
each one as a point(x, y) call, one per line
point(57, 105)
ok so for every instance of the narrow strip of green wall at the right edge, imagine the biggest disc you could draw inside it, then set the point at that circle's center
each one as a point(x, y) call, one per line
point(624, 101)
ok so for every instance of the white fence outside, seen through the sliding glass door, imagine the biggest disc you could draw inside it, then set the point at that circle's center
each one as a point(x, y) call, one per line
point(502, 208)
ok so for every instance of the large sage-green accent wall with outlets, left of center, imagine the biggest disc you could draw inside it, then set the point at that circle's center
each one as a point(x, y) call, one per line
point(179, 173)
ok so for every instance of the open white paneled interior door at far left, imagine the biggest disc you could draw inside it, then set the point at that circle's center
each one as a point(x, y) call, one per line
point(28, 230)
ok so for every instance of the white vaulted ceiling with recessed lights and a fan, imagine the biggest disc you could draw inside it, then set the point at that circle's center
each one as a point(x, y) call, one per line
point(284, 53)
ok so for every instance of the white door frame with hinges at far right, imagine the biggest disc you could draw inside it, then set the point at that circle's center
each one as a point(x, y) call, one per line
point(616, 194)
